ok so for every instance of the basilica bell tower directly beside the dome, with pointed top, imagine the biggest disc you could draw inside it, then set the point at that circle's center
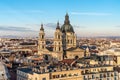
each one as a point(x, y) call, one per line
point(58, 39)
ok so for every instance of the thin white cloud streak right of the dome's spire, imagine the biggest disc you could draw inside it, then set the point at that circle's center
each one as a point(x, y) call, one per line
point(91, 13)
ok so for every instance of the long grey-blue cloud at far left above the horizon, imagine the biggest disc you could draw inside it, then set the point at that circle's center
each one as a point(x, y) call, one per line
point(13, 28)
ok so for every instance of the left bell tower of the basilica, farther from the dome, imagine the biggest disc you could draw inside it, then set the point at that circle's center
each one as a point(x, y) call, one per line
point(41, 40)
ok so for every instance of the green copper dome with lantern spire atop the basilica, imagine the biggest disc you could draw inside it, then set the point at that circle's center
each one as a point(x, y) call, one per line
point(67, 27)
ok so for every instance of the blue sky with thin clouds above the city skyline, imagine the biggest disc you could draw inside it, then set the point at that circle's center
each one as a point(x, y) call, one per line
point(88, 17)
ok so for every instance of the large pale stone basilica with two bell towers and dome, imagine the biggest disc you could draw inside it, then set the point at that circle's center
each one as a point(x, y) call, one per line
point(64, 42)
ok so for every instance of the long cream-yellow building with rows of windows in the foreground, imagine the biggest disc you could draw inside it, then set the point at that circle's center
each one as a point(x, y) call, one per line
point(83, 73)
